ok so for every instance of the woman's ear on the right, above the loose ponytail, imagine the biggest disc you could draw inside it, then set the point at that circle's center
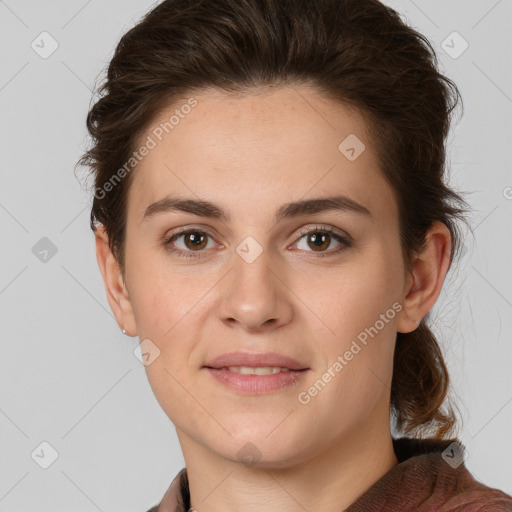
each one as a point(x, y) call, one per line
point(424, 284)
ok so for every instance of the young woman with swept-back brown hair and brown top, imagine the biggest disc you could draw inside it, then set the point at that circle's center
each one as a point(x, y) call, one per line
point(272, 221)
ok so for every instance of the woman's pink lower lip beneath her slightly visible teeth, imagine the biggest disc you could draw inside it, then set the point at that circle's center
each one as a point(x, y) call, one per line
point(257, 384)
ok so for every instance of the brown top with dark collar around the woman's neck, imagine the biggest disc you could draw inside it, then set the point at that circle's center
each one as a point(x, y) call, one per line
point(430, 476)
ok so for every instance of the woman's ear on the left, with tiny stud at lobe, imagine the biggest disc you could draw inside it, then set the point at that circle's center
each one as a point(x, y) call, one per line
point(117, 293)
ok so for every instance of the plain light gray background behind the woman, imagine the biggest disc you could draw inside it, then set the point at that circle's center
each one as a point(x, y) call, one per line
point(69, 377)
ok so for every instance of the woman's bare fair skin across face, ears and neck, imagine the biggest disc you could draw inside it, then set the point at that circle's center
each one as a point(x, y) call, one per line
point(250, 154)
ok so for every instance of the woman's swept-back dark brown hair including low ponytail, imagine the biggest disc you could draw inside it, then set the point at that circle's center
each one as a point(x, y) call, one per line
point(358, 52)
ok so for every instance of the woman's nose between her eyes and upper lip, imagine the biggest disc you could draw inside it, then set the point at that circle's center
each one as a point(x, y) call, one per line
point(255, 294)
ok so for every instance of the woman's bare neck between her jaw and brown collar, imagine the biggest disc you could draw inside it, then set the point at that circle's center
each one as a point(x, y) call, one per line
point(330, 481)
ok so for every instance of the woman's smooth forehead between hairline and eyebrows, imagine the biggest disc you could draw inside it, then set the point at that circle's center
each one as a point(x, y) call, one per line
point(284, 141)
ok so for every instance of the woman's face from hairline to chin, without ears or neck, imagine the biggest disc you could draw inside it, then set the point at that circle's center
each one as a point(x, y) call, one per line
point(311, 282)
